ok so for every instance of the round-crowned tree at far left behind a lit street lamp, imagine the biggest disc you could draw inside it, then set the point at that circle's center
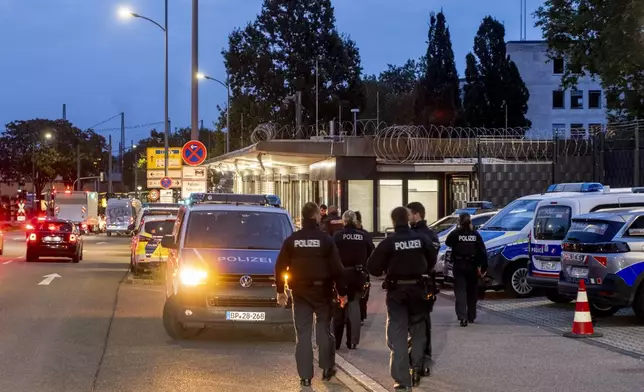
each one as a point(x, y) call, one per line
point(51, 145)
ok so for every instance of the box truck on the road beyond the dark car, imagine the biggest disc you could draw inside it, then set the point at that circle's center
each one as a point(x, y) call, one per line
point(79, 207)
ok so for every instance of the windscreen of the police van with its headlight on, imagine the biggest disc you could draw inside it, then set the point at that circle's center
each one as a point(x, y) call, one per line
point(237, 230)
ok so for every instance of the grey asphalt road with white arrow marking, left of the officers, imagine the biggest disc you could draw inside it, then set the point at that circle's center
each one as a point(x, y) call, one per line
point(91, 330)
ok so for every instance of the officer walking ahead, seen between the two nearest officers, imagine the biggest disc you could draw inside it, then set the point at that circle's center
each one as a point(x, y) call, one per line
point(355, 248)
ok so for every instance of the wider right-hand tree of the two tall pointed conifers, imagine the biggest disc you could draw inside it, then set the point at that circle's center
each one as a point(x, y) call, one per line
point(495, 94)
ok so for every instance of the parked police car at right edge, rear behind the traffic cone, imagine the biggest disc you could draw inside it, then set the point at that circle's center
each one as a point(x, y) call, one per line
point(606, 249)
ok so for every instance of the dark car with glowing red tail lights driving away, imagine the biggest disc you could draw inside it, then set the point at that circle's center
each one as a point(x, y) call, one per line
point(54, 238)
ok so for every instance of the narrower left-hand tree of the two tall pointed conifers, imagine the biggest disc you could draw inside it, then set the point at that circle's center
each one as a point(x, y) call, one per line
point(438, 99)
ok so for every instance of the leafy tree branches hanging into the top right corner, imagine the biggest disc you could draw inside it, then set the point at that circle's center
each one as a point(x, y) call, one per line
point(602, 39)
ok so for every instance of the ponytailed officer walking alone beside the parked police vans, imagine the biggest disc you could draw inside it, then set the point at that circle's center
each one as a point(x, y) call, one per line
point(469, 260)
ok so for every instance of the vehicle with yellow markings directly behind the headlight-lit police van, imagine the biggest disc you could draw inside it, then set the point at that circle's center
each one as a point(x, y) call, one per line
point(147, 252)
